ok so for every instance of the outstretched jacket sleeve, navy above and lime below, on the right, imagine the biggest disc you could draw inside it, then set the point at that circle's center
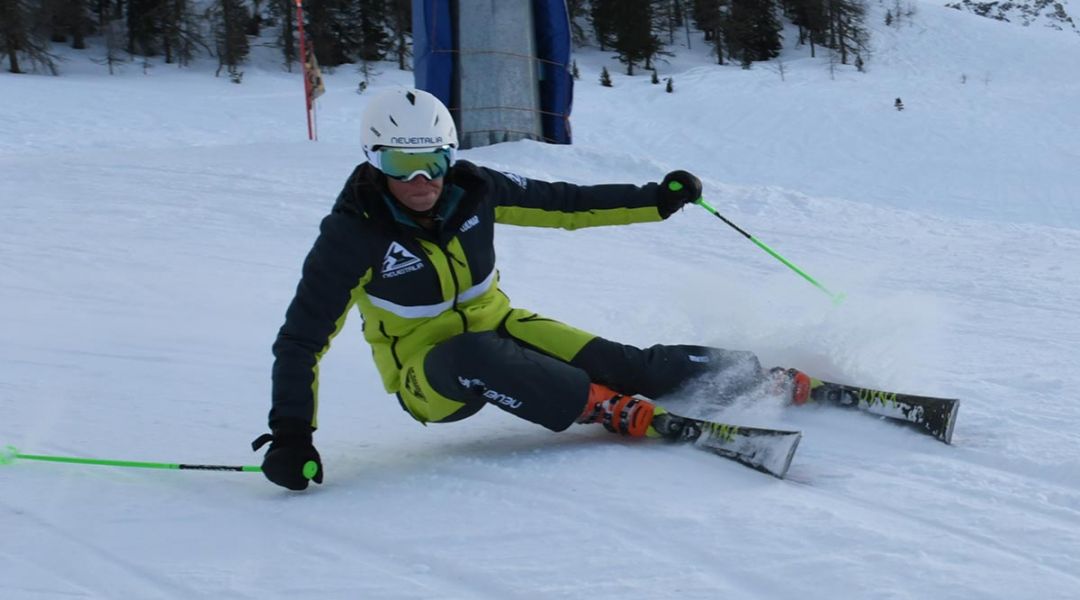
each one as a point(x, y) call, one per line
point(531, 202)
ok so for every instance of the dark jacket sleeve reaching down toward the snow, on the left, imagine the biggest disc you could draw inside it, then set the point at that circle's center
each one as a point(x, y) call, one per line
point(334, 272)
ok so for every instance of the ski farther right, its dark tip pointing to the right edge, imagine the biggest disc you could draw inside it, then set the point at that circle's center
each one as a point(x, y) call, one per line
point(935, 417)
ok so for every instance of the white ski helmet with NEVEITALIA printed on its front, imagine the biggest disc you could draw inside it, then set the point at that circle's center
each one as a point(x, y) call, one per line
point(409, 120)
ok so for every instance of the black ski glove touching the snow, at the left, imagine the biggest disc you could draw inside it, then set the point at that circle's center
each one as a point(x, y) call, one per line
point(291, 452)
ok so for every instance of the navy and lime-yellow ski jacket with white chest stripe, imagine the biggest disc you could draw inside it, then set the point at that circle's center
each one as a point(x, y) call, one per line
point(415, 288)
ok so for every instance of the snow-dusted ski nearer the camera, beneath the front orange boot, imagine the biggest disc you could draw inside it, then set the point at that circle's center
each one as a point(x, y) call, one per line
point(766, 451)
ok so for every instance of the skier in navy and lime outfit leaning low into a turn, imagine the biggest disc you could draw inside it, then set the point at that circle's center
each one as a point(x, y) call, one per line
point(410, 243)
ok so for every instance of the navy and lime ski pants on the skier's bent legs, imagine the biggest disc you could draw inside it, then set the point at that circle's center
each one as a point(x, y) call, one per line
point(530, 367)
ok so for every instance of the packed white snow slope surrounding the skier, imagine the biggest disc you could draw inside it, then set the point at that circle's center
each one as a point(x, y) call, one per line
point(153, 226)
